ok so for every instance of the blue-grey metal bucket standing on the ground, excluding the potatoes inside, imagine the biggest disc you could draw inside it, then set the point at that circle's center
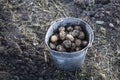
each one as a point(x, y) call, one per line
point(69, 60)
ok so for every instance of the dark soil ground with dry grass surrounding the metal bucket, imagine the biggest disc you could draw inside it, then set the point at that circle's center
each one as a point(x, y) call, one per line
point(24, 56)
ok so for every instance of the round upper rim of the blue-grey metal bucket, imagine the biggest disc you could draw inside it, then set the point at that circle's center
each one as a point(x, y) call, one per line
point(74, 52)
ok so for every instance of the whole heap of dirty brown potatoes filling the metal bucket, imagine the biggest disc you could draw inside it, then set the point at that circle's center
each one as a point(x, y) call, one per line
point(68, 39)
